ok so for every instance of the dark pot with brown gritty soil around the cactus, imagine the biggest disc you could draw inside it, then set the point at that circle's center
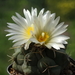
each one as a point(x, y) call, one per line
point(69, 71)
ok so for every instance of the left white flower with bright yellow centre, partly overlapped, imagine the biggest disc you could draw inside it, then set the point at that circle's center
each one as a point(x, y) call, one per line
point(20, 31)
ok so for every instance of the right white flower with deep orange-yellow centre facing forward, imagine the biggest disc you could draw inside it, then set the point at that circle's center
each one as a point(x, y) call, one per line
point(48, 32)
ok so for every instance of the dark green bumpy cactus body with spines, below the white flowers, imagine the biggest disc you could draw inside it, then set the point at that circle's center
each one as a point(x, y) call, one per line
point(40, 60)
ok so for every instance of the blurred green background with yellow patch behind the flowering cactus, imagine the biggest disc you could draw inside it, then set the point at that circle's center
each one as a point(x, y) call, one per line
point(63, 8)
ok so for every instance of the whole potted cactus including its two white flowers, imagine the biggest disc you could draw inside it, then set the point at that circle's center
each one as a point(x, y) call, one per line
point(39, 43)
